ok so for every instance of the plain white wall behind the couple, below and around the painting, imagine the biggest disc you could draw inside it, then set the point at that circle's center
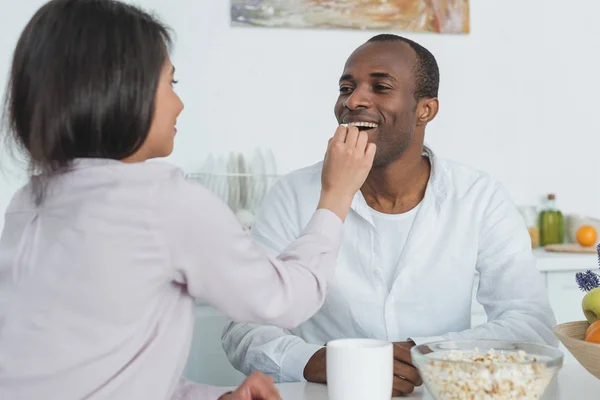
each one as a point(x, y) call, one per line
point(518, 94)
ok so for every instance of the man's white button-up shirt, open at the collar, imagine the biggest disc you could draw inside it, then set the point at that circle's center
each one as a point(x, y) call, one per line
point(466, 225)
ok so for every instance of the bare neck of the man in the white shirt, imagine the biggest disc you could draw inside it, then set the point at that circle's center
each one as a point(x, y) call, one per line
point(399, 186)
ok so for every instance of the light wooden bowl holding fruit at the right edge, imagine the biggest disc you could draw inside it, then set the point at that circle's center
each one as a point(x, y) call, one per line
point(571, 334)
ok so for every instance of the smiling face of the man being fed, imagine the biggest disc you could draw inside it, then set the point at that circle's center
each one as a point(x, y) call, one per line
point(377, 95)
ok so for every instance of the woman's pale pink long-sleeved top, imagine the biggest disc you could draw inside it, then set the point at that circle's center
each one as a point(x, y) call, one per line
point(97, 284)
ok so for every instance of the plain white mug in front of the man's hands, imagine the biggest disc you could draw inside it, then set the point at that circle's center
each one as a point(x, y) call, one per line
point(360, 369)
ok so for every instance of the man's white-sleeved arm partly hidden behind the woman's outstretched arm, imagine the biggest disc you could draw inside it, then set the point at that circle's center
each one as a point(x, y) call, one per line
point(271, 350)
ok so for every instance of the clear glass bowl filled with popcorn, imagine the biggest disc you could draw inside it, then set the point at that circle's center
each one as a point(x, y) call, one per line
point(490, 369)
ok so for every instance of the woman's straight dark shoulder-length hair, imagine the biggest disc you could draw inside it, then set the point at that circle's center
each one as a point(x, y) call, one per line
point(83, 82)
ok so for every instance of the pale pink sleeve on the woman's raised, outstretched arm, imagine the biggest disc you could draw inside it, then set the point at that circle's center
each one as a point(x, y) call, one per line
point(219, 263)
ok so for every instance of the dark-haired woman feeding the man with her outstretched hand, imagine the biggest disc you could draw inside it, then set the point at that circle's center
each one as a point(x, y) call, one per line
point(103, 254)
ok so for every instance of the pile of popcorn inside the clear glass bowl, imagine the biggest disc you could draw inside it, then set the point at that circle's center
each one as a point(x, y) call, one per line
point(490, 376)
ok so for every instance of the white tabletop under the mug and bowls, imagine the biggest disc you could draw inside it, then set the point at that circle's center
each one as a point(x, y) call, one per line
point(572, 382)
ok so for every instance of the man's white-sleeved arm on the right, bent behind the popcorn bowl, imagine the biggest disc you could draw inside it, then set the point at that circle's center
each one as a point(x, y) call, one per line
point(511, 288)
